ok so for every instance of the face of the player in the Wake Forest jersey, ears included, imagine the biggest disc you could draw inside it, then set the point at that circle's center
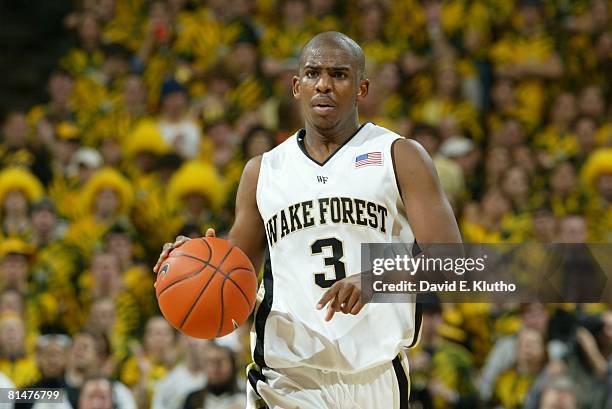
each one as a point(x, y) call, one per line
point(329, 87)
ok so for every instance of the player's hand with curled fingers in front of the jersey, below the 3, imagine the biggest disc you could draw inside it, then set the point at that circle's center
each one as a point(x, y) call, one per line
point(344, 296)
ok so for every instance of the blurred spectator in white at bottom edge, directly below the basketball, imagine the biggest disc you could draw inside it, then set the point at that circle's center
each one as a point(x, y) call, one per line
point(187, 377)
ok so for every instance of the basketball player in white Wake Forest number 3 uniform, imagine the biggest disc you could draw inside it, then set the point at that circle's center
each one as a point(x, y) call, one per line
point(313, 200)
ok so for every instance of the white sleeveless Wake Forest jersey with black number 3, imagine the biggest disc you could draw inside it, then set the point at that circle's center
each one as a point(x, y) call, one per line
point(316, 216)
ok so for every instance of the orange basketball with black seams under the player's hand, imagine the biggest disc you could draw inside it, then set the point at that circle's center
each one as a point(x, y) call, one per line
point(206, 288)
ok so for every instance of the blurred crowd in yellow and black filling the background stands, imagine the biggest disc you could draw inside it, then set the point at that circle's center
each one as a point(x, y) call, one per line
point(152, 115)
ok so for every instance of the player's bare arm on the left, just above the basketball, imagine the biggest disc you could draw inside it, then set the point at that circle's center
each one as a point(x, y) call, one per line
point(248, 232)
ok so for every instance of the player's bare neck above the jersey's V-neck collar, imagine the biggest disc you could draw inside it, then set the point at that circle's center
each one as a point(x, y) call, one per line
point(320, 143)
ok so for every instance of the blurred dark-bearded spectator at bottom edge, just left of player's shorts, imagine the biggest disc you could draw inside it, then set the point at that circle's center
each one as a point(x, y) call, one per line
point(221, 388)
